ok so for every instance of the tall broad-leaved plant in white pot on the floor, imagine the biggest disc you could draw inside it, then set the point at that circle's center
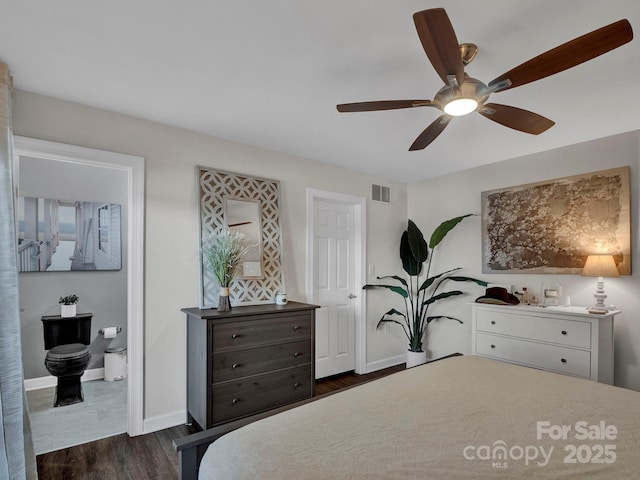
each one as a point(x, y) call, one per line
point(420, 291)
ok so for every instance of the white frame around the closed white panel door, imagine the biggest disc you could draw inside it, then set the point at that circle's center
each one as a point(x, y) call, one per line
point(359, 205)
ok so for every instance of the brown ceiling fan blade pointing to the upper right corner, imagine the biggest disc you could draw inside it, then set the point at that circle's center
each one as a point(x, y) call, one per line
point(568, 55)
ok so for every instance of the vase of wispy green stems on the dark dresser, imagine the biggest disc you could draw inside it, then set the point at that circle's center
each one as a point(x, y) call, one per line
point(223, 253)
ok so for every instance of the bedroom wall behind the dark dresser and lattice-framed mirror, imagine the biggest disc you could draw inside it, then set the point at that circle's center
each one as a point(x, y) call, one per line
point(171, 272)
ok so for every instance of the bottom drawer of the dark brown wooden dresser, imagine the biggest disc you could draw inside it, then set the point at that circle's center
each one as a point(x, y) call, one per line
point(238, 398)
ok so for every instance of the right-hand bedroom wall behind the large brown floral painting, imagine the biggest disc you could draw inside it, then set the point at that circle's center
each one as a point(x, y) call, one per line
point(445, 197)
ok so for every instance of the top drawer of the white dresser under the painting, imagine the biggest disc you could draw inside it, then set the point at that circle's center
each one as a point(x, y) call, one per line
point(573, 333)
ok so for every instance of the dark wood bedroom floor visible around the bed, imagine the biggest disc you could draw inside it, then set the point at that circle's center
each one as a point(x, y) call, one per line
point(148, 457)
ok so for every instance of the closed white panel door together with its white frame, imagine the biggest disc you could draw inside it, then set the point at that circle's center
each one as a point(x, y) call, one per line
point(336, 258)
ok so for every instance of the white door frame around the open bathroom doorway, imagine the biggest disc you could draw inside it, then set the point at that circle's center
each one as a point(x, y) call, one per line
point(134, 169)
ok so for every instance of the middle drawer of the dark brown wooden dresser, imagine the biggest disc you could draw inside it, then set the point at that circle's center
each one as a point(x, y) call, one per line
point(240, 363)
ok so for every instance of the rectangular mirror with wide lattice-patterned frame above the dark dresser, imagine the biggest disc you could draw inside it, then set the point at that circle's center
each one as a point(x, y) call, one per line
point(234, 201)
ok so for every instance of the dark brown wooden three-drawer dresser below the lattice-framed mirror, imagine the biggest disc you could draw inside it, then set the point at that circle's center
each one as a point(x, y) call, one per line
point(248, 360)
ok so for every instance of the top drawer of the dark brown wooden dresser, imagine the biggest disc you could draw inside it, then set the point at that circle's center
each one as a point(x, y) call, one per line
point(268, 329)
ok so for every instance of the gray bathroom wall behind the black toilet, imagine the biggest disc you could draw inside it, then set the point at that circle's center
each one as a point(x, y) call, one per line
point(102, 293)
